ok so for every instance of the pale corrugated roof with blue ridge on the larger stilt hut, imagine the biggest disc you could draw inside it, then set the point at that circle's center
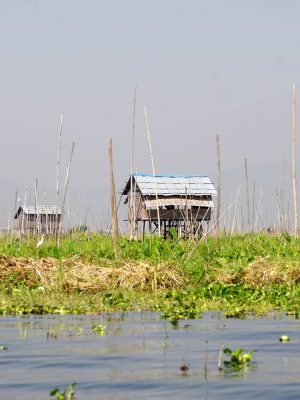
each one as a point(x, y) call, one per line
point(170, 185)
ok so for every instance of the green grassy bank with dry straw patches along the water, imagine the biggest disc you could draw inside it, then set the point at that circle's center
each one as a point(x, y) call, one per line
point(237, 275)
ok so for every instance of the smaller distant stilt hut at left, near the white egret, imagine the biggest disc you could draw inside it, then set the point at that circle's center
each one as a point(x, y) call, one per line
point(38, 219)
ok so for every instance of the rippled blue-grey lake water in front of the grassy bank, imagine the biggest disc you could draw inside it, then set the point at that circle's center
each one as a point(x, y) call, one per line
point(140, 356)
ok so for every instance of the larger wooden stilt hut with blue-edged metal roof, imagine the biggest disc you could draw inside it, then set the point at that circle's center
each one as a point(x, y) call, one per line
point(183, 203)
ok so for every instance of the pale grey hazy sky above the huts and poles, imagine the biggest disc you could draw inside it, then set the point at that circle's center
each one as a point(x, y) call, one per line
point(201, 67)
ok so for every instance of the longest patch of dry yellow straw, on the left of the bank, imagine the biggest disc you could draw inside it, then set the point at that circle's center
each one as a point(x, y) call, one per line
point(74, 274)
